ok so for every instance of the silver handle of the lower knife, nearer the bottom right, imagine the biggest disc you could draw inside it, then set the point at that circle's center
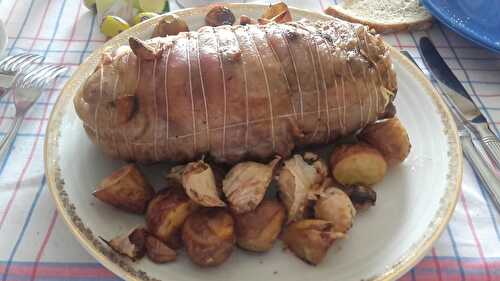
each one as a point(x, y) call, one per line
point(491, 182)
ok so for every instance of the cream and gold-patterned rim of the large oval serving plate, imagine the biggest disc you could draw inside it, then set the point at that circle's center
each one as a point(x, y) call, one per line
point(124, 270)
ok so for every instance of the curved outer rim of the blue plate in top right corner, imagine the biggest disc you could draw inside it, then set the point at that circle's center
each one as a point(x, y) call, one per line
point(472, 36)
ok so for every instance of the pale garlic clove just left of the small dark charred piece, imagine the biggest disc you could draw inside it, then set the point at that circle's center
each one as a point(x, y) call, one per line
point(336, 207)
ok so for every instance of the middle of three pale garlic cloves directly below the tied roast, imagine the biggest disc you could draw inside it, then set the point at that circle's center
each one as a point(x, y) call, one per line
point(246, 184)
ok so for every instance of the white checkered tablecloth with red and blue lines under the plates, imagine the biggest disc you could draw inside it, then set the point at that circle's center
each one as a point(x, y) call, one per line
point(36, 245)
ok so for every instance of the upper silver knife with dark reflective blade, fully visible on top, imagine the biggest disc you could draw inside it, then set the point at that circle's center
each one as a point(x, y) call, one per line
point(467, 111)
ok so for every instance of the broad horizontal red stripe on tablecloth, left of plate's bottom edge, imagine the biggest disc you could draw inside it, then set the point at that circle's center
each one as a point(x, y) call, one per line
point(70, 271)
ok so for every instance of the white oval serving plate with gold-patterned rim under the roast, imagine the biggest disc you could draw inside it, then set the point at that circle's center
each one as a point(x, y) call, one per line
point(415, 200)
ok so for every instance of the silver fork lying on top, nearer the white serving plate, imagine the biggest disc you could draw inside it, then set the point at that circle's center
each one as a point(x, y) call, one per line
point(27, 88)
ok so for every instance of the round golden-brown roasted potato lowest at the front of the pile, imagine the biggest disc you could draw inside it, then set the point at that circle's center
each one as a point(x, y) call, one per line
point(209, 237)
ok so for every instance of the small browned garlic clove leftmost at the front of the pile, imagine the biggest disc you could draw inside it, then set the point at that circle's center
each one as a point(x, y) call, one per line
point(131, 244)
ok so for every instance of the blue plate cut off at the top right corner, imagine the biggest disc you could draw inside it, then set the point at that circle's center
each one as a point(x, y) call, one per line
point(476, 20)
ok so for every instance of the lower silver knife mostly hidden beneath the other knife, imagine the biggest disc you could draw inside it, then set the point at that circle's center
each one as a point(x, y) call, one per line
point(478, 164)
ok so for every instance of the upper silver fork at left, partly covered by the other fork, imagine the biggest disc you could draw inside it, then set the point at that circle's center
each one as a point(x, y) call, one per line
point(10, 65)
